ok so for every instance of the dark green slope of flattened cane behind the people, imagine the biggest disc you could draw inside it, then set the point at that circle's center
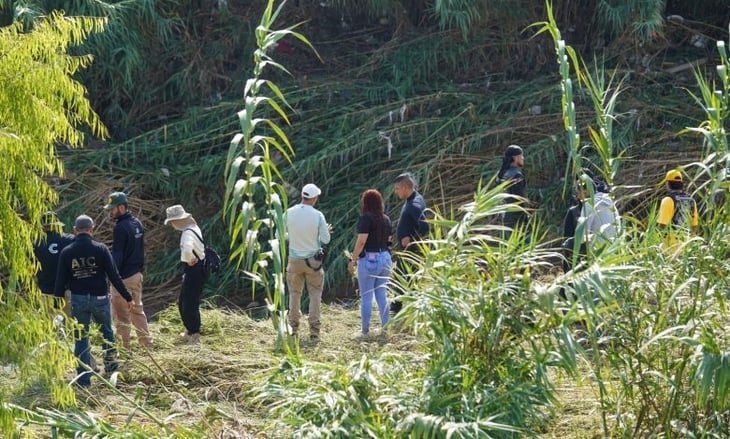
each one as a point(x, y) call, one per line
point(389, 95)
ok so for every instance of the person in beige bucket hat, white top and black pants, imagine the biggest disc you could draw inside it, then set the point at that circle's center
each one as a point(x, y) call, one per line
point(192, 254)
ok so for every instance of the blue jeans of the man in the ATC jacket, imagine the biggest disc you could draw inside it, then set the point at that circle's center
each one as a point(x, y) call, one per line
point(84, 308)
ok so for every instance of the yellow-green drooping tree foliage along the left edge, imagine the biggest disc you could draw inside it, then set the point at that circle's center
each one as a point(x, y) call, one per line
point(41, 106)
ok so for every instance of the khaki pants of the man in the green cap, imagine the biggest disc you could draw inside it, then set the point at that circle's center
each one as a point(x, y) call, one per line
point(122, 317)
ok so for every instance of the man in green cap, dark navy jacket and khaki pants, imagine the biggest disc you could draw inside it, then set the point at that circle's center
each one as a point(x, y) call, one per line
point(128, 253)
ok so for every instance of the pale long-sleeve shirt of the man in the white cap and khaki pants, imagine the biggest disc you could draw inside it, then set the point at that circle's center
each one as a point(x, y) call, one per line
point(307, 231)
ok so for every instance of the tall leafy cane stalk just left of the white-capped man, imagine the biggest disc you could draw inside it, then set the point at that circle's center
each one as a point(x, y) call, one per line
point(256, 200)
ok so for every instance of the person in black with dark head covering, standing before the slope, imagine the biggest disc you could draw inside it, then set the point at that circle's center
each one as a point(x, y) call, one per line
point(511, 171)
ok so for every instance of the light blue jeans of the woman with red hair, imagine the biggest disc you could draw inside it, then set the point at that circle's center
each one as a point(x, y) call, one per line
point(373, 272)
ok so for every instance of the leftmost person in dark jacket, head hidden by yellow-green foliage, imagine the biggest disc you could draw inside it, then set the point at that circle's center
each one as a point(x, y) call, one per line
point(47, 251)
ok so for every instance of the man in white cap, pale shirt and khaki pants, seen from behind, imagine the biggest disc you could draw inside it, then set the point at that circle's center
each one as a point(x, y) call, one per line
point(307, 231)
